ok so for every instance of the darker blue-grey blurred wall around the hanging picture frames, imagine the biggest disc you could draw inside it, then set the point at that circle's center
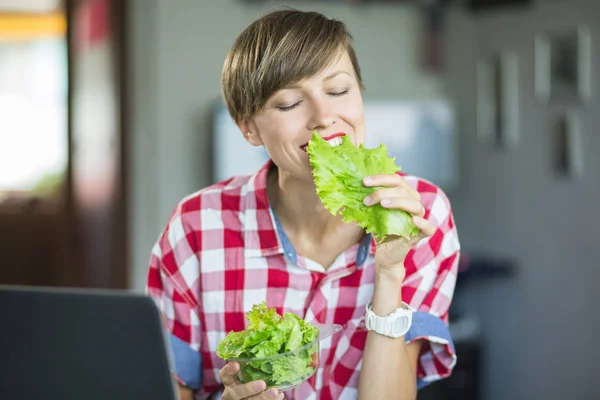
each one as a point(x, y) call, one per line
point(541, 327)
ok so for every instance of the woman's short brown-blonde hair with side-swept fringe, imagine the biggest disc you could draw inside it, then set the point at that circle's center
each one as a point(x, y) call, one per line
point(277, 50)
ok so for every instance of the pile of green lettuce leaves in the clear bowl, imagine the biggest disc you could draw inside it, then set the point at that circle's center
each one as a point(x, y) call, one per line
point(259, 348)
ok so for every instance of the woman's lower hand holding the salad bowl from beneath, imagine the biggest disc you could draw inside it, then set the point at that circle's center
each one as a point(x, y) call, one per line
point(252, 390)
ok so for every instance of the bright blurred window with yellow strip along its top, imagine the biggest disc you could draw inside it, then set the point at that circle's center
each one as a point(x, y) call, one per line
point(33, 105)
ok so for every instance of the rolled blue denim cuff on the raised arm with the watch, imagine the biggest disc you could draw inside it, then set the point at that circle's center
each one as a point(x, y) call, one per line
point(438, 362)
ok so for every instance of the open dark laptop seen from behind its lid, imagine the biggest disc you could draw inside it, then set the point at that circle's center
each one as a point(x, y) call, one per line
point(81, 344)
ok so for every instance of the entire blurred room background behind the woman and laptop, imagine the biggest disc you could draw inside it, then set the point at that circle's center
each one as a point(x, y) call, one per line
point(110, 113)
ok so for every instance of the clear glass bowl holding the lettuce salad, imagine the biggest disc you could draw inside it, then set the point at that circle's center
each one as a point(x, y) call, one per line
point(285, 371)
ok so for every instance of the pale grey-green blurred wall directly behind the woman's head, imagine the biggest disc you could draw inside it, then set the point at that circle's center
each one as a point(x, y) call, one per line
point(178, 51)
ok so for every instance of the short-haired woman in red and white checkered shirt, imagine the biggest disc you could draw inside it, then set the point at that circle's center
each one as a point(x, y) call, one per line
point(267, 237)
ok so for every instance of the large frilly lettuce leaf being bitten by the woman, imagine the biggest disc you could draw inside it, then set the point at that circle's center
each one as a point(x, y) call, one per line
point(338, 173)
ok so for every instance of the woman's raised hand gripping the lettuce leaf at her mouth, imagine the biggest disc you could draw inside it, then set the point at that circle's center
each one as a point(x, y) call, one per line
point(397, 193)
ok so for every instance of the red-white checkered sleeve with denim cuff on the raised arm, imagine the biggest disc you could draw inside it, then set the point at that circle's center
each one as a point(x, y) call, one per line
point(431, 270)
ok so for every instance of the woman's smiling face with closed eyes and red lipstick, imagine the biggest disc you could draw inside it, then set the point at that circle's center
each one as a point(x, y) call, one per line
point(330, 103)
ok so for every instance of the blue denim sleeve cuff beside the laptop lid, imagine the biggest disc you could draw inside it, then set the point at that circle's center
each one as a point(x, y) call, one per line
point(187, 363)
